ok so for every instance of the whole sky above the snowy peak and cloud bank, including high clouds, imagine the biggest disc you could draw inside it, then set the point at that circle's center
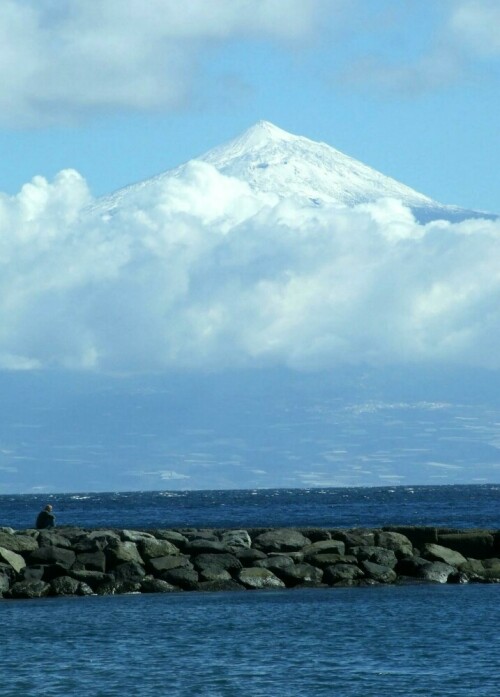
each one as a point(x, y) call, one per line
point(121, 91)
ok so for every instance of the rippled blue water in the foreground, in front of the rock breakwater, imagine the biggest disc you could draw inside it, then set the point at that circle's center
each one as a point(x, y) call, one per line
point(418, 640)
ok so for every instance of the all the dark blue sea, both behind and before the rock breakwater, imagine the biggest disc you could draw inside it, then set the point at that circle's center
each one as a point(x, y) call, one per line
point(406, 640)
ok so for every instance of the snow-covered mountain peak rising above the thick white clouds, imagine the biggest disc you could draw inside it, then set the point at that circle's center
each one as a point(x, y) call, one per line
point(272, 161)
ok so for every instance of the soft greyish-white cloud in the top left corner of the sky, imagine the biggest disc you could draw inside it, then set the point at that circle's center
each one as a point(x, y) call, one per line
point(64, 61)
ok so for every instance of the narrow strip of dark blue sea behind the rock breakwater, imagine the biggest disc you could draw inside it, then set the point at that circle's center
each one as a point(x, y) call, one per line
point(452, 506)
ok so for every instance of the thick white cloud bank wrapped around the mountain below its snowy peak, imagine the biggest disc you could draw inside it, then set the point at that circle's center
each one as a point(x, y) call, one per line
point(197, 272)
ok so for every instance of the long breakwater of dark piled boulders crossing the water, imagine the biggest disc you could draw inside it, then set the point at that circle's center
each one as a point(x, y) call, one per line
point(76, 561)
